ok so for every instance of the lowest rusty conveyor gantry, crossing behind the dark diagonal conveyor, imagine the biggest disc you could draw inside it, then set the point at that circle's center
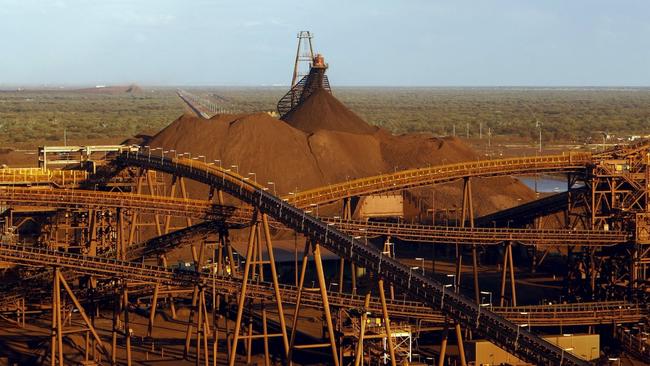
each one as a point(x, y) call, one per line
point(543, 315)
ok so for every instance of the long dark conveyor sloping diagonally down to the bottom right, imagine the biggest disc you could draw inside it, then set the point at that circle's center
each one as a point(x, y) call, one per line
point(432, 293)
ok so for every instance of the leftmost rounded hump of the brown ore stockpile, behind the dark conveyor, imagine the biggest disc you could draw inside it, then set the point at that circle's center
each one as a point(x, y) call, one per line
point(254, 143)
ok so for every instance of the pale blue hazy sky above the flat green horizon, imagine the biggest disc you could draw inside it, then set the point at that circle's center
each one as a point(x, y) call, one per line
point(380, 42)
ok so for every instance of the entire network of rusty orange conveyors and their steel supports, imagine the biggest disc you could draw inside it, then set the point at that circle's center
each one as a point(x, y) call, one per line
point(613, 218)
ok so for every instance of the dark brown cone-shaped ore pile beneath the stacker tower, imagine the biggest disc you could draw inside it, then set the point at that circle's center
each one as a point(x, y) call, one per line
point(322, 111)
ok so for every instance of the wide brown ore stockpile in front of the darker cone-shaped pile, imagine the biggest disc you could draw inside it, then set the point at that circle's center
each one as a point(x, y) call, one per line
point(293, 159)
